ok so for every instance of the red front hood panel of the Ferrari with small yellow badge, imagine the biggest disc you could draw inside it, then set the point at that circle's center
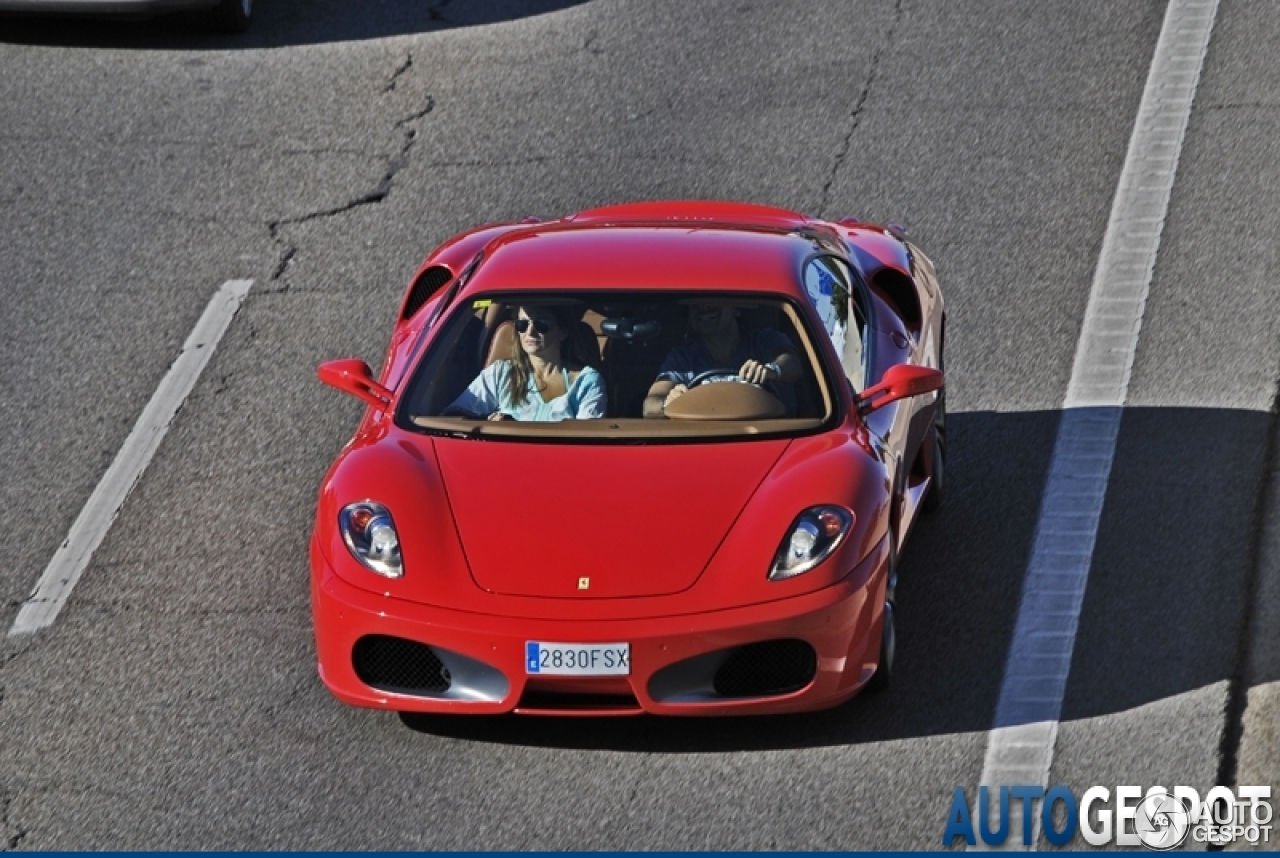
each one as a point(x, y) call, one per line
point(597, 522)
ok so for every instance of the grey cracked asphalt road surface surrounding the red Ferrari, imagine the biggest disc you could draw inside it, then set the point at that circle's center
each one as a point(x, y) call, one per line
point(175, 702)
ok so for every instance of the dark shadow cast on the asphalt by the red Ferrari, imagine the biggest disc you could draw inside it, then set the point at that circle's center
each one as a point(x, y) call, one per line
point(1172, 572)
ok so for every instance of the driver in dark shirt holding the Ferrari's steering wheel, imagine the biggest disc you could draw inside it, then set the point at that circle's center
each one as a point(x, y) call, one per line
point(758, 357)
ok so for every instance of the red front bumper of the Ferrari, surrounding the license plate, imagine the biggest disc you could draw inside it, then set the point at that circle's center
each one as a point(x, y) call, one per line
point(674, 660)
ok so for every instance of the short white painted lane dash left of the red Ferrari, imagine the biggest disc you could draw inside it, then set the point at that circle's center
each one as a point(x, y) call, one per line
point(72, 558)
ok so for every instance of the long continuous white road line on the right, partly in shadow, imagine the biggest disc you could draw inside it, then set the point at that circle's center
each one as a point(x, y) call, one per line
point(1021, 747)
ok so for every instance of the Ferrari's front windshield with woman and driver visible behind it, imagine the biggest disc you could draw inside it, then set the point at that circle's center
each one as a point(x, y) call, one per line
point(579, 366)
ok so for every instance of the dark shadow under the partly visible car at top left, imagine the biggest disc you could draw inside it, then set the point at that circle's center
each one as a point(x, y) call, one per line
point(277, 24)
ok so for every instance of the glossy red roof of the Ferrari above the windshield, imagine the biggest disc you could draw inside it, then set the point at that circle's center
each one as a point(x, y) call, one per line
point(618, 254)
